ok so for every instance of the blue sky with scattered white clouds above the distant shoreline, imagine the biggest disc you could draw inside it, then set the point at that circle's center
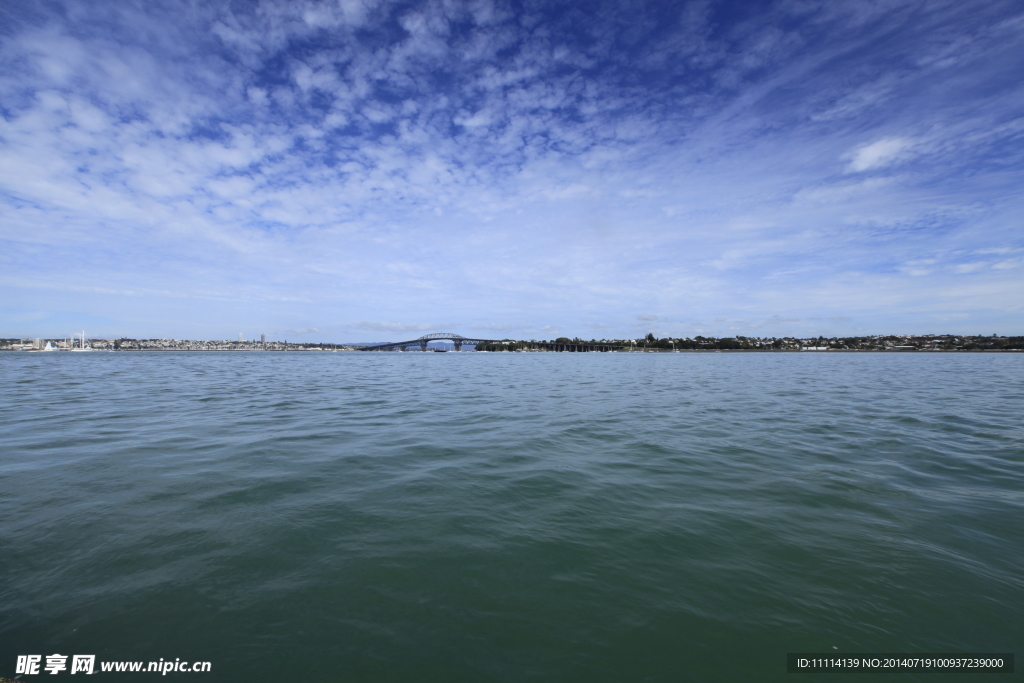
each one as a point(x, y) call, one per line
point(364, 170)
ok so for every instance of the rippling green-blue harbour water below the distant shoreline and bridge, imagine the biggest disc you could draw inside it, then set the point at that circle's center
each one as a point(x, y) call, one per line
point(509, 518)
